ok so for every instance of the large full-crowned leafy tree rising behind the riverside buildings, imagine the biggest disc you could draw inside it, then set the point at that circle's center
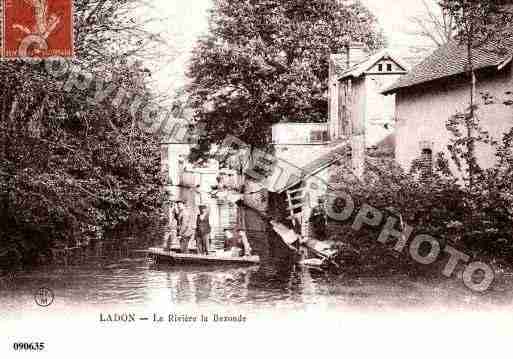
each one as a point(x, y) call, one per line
point(266, 61)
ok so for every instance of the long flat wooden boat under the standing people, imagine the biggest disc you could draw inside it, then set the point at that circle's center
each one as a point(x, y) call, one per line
point(159, 255)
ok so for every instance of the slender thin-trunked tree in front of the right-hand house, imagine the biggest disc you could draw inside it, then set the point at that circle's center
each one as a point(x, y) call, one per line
point(478, 23)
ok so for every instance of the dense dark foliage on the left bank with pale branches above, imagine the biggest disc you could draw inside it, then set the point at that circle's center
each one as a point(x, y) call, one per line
point(71, 170)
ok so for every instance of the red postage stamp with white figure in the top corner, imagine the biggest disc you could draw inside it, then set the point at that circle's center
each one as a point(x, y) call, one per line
point(37, 28)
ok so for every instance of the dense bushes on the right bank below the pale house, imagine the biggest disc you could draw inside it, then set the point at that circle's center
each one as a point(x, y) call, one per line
point(476, 220)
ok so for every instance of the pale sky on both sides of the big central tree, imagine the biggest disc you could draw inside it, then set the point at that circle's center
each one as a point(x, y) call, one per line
point(184, 20)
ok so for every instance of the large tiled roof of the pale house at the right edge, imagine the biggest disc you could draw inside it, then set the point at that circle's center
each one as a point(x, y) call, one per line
point(449, 60)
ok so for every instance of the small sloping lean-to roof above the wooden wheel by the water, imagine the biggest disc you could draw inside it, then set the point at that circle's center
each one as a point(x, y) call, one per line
point(340, 150)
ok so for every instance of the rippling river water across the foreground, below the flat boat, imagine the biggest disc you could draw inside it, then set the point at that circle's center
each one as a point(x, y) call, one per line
point(134, 281)
